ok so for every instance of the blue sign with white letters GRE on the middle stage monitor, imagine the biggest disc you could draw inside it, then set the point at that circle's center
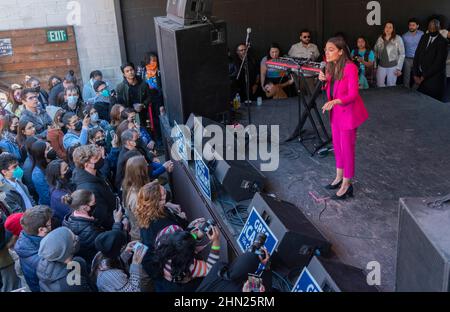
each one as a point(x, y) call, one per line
point(254, 225)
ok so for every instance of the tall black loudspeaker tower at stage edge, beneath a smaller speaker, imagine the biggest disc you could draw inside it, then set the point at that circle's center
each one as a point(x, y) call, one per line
point(194, 68)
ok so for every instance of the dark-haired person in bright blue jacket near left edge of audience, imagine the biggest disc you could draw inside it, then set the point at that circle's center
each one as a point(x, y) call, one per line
point(41, 154)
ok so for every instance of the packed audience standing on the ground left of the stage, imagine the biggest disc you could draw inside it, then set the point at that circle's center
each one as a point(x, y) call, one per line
point(84, 204)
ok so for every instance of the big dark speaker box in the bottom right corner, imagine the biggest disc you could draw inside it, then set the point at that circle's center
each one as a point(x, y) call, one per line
point(423, 247)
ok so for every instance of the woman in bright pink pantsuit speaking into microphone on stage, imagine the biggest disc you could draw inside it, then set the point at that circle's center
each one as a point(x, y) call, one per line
point(347, 113)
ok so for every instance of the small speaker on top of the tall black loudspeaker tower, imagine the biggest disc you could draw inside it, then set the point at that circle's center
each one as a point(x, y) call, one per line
point(188, 12)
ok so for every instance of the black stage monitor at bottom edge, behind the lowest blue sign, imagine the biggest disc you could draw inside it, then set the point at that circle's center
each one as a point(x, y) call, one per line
point(334, 276)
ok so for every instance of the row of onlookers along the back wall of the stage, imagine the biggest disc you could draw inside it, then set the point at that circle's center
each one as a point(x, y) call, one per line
point(418, 57)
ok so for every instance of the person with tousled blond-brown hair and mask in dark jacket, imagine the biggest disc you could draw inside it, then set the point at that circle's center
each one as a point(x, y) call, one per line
point(89, 160)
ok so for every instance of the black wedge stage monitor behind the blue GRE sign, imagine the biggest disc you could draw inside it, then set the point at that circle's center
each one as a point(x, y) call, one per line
point(298, 237)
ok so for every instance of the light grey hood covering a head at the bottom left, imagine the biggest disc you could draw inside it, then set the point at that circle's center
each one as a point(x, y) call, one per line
point(58, 245)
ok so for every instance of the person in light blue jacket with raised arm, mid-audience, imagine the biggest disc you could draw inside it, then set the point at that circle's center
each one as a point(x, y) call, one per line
point(77, 131)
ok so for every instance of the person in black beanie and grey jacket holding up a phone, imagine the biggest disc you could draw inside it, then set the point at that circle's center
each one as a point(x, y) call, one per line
point(109, 267)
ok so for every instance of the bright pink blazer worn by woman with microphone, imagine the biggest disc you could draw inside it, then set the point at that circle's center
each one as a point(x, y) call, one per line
point(351, 113)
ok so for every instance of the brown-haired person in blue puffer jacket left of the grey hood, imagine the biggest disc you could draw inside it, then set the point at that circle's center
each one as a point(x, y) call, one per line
point(36, 224)
